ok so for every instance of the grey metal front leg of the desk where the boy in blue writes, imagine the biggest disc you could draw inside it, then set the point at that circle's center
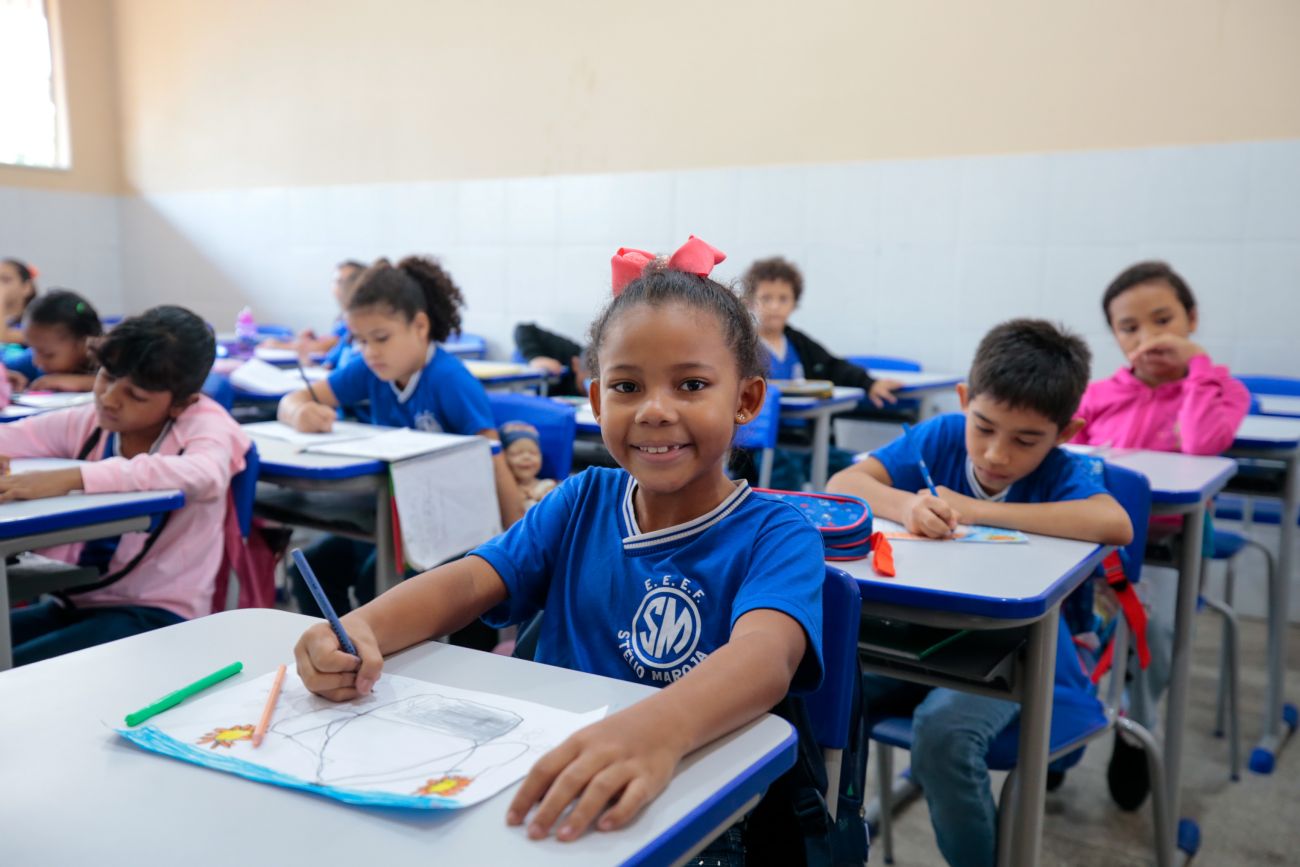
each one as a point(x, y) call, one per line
point(1035, 725)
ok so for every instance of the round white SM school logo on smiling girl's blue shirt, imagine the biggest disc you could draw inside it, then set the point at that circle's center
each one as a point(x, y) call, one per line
point(664, 643)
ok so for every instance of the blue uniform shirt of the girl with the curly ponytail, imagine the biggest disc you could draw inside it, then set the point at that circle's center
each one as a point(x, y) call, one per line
point(441, 397)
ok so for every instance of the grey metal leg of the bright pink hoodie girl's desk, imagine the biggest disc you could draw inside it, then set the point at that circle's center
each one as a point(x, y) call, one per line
point(1185, 621)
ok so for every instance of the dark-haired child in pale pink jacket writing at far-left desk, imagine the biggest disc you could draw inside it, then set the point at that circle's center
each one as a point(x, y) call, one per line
point(148, 430)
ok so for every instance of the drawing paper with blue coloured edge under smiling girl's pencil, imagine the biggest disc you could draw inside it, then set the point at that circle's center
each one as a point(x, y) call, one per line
point(410, 744)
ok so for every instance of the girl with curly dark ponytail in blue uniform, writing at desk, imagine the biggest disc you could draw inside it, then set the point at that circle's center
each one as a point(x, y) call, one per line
point(397, 315)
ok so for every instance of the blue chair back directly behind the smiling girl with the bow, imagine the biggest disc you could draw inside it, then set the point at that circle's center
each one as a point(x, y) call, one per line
point(831, 705)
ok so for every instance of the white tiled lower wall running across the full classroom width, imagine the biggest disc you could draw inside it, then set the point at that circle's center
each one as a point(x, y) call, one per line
point(903, 258)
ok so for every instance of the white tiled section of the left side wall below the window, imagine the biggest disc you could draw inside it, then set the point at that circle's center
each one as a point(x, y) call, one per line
point(71, 237)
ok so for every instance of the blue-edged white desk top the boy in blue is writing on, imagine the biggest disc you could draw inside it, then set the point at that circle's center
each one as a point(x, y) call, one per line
point(998, 582)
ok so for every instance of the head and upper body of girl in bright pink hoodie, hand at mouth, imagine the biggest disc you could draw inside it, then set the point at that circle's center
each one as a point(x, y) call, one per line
point(1173, 397)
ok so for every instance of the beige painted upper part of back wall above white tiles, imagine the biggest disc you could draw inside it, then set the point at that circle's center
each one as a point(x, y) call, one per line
point(249, 93)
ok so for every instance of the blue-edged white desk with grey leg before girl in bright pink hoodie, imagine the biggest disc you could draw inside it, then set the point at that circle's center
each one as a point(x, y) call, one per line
point(1180, 485)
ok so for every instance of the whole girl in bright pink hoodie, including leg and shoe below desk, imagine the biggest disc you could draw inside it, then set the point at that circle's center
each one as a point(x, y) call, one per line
point(1172, 398)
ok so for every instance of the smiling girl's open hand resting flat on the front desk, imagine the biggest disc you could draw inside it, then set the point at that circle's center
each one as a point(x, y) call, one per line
point(609, 771)
